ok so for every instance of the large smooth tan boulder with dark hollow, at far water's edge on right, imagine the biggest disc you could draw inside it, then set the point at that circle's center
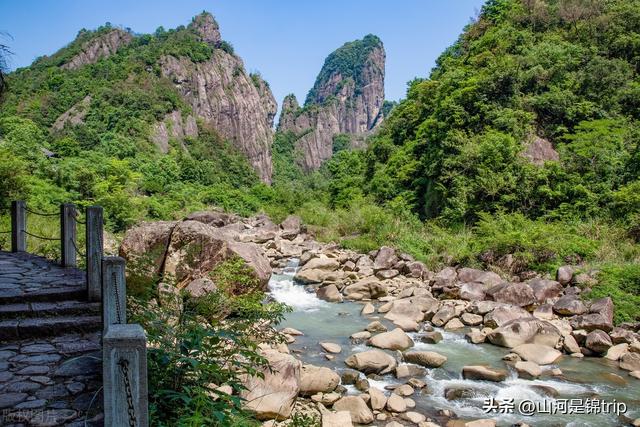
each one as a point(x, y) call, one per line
point(524, 331)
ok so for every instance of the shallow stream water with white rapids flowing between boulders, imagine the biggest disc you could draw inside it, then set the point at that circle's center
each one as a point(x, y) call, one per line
point(587, 379)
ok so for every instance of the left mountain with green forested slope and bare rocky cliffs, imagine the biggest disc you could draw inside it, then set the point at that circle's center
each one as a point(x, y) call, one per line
point(145, 125)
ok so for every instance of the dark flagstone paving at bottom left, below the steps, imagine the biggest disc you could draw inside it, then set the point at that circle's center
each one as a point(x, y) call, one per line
point(51, 381)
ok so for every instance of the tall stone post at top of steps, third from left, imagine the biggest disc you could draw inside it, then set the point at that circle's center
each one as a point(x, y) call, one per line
point(94, 252)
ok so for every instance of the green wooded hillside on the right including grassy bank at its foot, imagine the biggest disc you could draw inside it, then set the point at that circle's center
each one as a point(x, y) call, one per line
point(450, 178)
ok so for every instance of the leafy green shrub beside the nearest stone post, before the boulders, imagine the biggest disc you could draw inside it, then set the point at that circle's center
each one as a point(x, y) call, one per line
point(196, 345)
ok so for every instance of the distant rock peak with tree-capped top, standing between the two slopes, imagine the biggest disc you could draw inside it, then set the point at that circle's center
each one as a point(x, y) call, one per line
point(347, 98)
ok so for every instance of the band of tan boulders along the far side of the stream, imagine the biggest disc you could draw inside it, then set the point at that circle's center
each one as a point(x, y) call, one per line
point(542, 314)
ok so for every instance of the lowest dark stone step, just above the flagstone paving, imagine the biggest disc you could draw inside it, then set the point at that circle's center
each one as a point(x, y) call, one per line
point(39, 327)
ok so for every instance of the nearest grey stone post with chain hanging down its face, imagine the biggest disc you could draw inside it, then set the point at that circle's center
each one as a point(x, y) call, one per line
point(124, 376)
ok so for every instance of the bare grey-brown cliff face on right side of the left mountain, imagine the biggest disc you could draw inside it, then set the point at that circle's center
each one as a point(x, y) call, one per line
point(239, 106)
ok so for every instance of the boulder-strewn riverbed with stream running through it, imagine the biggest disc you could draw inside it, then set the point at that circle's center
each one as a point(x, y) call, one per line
point(400, 343)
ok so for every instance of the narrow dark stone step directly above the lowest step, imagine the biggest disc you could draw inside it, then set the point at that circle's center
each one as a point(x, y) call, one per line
point(48, 309)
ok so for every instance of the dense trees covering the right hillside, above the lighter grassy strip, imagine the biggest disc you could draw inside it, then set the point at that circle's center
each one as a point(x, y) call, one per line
point(562, 70)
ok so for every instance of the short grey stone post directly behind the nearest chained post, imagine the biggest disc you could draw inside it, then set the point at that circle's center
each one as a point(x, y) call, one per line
point(113, 293)
